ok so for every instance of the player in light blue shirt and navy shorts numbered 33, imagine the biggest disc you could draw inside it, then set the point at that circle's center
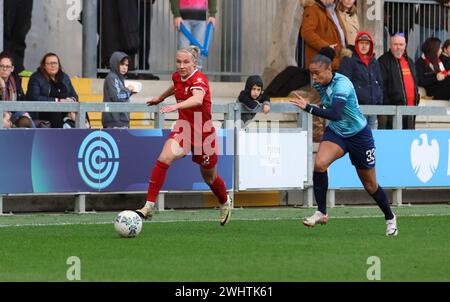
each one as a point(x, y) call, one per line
point(347, 131)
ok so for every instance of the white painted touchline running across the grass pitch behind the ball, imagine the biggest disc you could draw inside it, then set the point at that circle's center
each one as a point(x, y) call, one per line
point(212, 220)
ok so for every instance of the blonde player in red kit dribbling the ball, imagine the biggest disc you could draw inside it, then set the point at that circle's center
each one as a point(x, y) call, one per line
point(193, 132)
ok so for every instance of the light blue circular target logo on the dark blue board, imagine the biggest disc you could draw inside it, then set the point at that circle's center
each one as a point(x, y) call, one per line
point(98, 160)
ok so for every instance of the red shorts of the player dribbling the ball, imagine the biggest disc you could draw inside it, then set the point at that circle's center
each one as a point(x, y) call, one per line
point(205, 154)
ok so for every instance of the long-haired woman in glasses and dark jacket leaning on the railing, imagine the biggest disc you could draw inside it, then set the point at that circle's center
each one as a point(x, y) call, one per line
point(49, 83)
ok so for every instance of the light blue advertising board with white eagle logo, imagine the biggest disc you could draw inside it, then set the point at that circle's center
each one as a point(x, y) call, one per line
point(404, 158)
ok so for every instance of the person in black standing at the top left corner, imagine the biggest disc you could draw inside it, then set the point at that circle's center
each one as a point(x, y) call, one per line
point(17, 23)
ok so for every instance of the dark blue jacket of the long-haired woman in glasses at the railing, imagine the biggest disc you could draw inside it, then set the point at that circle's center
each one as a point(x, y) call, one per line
point(39, 88)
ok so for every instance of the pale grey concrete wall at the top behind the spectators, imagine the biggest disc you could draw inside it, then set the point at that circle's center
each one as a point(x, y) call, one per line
point(55, 29)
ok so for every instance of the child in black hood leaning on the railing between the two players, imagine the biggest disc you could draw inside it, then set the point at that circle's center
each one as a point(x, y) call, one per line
point(253, 99)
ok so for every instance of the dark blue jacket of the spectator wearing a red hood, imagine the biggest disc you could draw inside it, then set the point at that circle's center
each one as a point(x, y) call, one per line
point(367, 80)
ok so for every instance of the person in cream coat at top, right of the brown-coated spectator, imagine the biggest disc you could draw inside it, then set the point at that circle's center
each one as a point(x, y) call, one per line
point(347, 12)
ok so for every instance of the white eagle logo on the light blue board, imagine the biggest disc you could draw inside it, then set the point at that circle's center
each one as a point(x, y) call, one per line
point(424, 157)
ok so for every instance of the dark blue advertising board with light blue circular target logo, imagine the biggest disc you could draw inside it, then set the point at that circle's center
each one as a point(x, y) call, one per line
point(80, 160)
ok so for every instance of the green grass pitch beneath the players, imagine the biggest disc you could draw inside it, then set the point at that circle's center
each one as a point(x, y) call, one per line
point(257, 245)
